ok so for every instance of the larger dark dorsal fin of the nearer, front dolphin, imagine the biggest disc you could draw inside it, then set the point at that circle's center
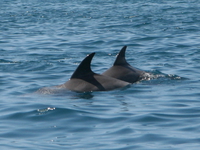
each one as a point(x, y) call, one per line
point(84, 67)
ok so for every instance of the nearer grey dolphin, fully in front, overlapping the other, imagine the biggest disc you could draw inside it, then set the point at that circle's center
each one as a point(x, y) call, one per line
point(85, 80)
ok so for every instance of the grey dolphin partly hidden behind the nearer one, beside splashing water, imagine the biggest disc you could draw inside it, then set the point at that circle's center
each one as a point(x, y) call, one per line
point(123, 70)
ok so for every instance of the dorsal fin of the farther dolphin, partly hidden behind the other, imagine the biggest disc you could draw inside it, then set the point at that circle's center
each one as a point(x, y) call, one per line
point(121, 60)
